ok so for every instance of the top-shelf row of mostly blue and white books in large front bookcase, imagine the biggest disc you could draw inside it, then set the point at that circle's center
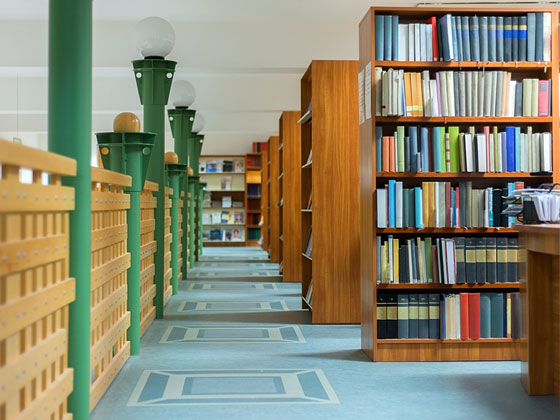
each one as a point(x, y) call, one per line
point(465, 38)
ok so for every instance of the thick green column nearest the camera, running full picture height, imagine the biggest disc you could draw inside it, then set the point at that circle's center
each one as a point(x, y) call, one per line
point(70, 51)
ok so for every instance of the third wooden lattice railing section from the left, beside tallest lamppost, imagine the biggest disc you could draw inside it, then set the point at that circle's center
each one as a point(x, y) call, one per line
point(148, 246)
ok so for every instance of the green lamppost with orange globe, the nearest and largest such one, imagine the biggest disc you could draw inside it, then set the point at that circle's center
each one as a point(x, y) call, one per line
point(128, 151)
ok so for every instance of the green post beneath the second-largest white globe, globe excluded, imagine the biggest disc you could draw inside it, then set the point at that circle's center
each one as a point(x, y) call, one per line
point(181, 121)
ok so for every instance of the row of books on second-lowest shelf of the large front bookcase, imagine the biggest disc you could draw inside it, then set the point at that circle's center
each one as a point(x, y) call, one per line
point(457, 260)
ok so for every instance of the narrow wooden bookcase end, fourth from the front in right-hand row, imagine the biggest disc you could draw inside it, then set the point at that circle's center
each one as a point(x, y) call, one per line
point(274, 198)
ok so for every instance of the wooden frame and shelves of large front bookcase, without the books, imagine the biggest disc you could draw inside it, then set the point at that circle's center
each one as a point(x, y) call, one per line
point(439, 349)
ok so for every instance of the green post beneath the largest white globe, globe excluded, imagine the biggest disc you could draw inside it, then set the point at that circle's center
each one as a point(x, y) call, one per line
point(153, 80)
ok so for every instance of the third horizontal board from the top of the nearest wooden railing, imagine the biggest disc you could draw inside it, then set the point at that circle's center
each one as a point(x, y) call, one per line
point(22, 255)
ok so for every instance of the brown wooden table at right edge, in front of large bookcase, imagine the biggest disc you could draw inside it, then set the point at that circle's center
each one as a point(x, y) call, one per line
point(540, 306)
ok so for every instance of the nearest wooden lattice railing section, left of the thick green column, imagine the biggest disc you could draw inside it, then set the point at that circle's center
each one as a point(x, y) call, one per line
point(35, 287)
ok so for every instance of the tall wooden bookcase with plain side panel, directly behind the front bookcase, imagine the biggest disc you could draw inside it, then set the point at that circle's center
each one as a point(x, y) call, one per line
point(333, 181)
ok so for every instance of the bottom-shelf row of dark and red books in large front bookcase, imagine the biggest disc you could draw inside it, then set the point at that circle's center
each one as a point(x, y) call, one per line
point(462, 316)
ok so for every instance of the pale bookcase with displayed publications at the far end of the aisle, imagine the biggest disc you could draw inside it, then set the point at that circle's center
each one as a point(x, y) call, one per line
point(215, 191)
